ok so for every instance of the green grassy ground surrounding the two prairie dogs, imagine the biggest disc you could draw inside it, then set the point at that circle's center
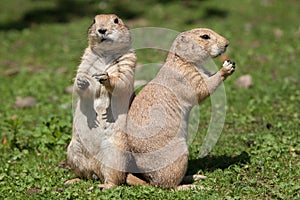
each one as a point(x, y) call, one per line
point(258, 154)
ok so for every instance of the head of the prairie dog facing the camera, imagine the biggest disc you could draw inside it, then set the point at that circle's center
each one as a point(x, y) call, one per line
point(108, 33)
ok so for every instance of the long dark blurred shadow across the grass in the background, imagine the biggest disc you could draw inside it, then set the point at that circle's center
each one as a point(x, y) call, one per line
point(65, 11)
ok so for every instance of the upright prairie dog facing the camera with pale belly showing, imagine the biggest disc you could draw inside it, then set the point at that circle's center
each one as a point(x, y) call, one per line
point(104, 84)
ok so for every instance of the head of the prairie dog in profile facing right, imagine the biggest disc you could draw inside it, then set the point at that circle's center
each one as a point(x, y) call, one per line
point(198, 45)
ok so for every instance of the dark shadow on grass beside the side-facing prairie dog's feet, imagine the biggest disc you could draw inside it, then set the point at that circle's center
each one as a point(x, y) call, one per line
point(211, 163)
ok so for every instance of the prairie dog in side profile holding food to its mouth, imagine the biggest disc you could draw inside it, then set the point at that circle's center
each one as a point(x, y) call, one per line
point(158, 116)
